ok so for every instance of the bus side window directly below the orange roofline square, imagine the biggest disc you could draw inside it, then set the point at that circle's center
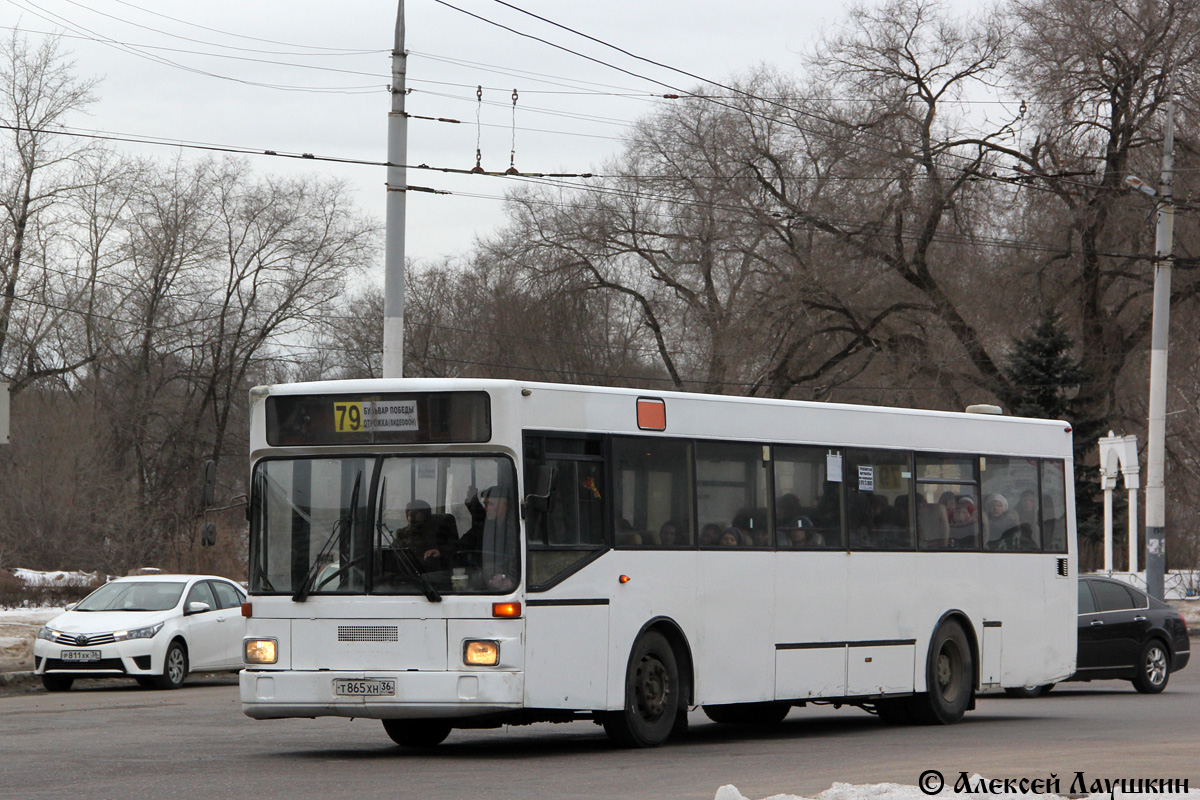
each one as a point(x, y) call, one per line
point(652, 492)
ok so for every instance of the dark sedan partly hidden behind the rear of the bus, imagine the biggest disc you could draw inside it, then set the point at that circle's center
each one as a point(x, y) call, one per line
point(1127, 635)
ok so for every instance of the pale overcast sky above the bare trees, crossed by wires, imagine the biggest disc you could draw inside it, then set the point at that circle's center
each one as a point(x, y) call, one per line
point(187, 71)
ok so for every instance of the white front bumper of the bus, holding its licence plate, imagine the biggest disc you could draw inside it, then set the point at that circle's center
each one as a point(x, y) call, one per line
point(279, 695)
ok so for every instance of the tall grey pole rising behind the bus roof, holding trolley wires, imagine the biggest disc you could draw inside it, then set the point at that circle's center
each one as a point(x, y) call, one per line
point(394, 239)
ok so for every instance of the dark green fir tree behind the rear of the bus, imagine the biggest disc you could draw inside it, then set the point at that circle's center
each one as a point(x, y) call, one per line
point(1045, 380)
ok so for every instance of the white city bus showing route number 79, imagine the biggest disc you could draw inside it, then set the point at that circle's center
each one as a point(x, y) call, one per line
point(447, 555)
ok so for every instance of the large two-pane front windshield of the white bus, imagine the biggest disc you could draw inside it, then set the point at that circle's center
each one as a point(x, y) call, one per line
point(429, 525)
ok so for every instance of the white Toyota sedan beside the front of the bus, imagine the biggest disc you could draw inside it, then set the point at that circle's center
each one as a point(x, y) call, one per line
point(155, 629)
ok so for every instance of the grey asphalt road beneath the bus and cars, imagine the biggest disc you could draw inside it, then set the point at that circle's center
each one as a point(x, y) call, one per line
point(125, 742)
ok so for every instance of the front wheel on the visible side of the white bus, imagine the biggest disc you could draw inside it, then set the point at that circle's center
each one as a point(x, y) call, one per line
point(652, 696)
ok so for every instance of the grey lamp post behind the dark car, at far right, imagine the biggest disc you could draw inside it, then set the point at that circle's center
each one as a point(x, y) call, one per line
point(1156, 492)
